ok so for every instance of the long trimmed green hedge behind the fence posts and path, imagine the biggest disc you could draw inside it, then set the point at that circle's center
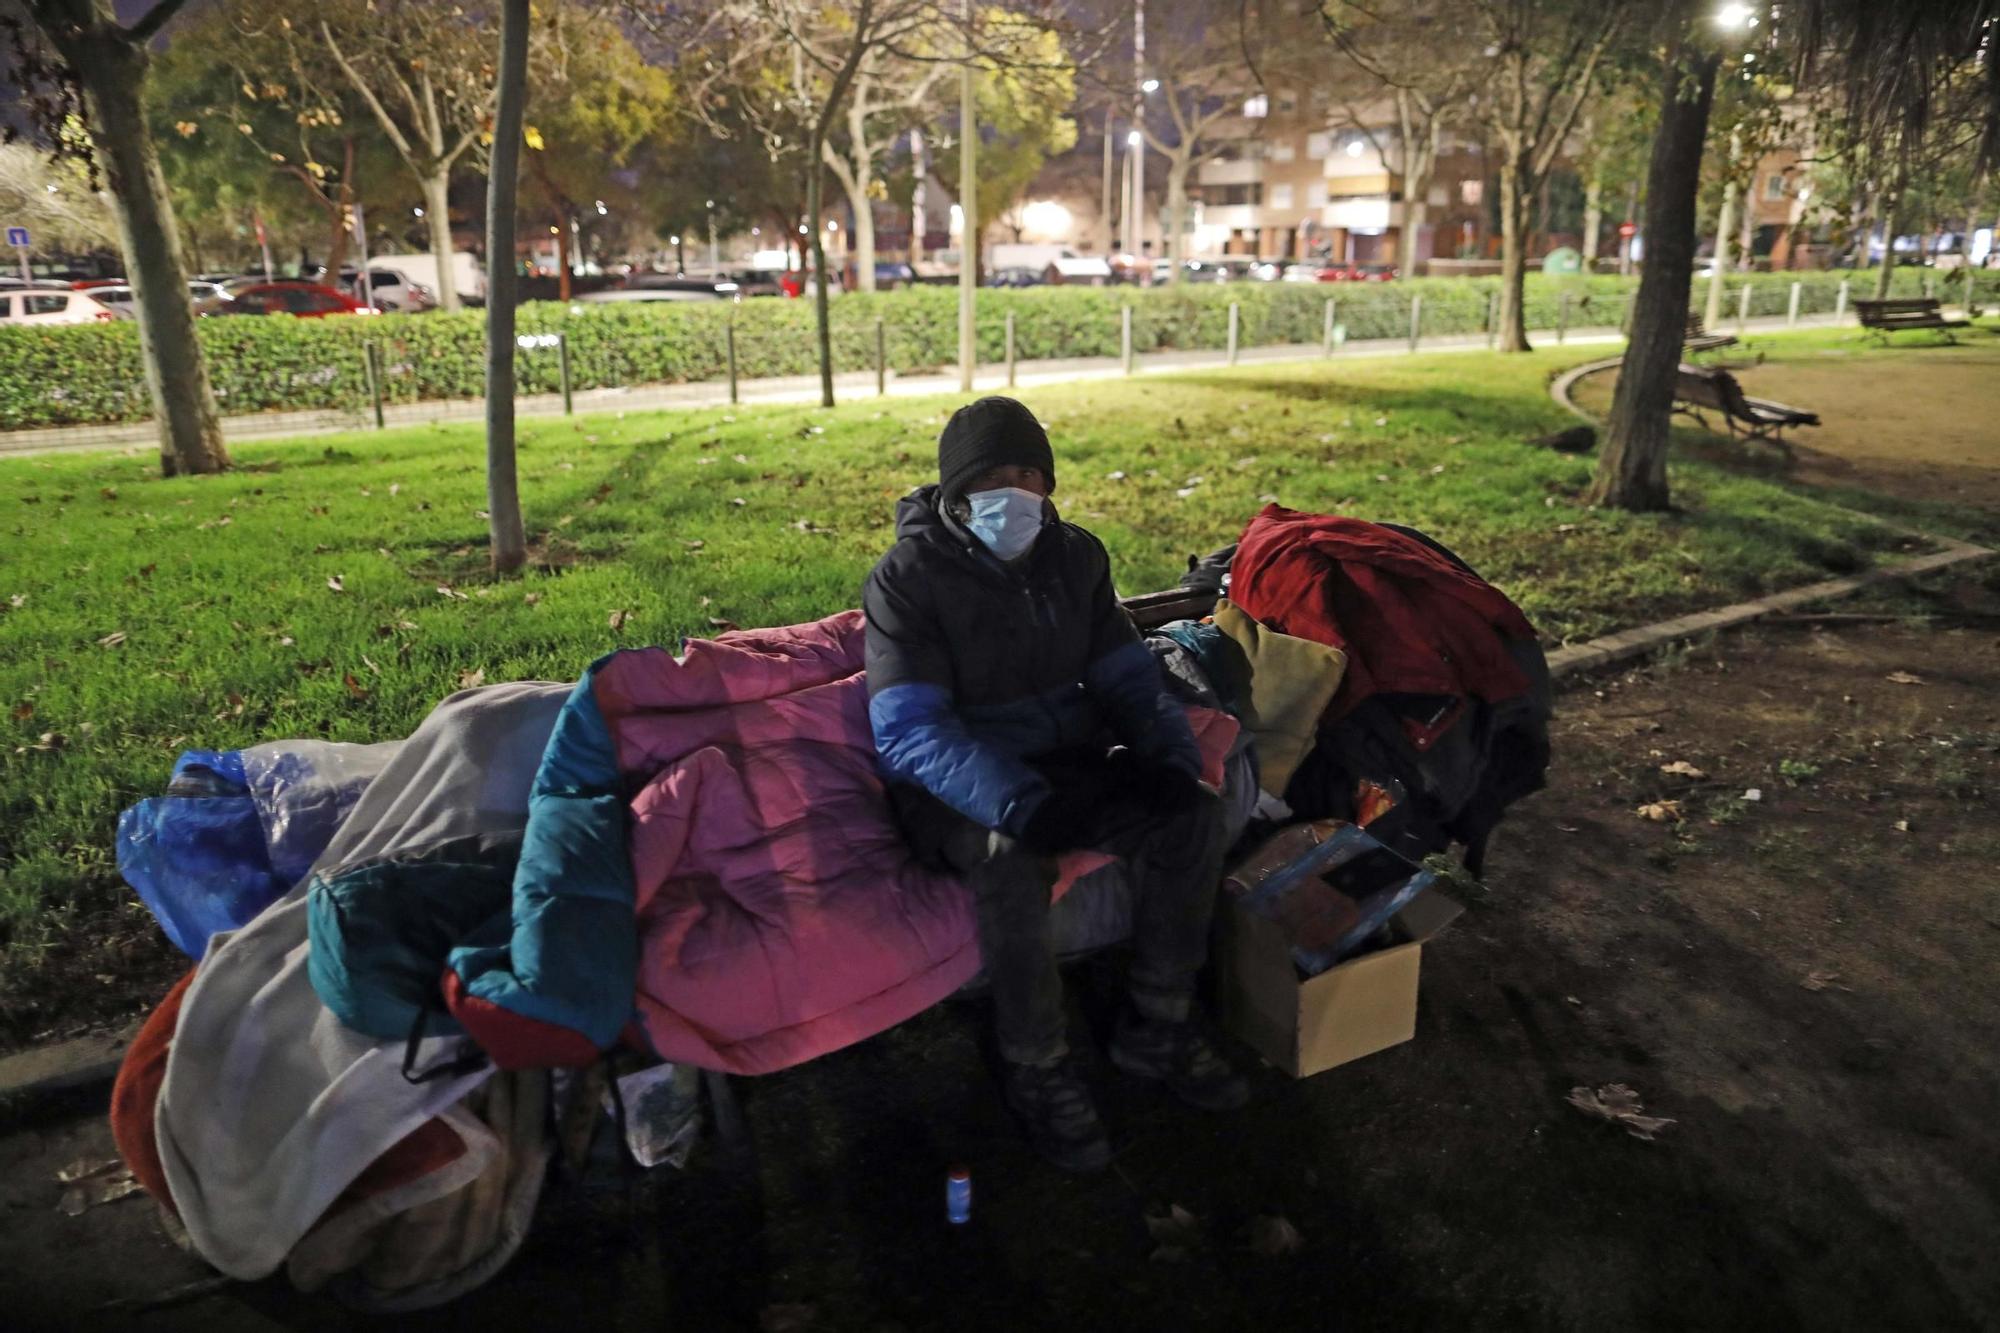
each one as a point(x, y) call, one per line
point(67, 375)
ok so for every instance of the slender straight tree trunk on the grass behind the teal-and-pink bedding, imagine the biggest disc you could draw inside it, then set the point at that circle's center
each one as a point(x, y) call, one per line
point(503, 481)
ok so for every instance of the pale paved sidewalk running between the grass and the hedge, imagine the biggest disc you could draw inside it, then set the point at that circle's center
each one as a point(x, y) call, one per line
point(791, 389)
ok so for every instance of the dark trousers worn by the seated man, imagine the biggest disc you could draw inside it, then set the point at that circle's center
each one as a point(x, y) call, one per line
point(1175, 864)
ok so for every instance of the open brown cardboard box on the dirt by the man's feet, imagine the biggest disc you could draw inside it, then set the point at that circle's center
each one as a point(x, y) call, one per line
point(1313, 1024)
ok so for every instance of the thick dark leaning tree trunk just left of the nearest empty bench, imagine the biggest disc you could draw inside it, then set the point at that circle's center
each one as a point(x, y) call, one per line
point(1633, 463)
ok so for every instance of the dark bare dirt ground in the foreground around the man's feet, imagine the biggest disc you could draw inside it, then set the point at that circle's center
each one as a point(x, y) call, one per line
point(1801, 982)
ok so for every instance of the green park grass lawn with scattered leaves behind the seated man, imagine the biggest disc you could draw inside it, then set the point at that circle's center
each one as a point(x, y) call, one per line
point(145, 615)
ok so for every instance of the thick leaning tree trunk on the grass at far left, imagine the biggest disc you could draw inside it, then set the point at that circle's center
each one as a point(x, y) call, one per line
point(113, 75)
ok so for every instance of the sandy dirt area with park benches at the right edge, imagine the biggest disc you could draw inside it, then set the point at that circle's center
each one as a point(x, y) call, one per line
point(1937, 445)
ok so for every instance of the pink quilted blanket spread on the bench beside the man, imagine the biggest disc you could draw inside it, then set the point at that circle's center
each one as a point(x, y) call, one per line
point(781, 914)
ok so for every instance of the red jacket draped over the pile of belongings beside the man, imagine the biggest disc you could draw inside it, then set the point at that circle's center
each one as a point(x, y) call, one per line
point(1409, 619)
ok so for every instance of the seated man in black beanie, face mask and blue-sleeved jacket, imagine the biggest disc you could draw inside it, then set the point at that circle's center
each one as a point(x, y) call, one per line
point(1001, 676)
